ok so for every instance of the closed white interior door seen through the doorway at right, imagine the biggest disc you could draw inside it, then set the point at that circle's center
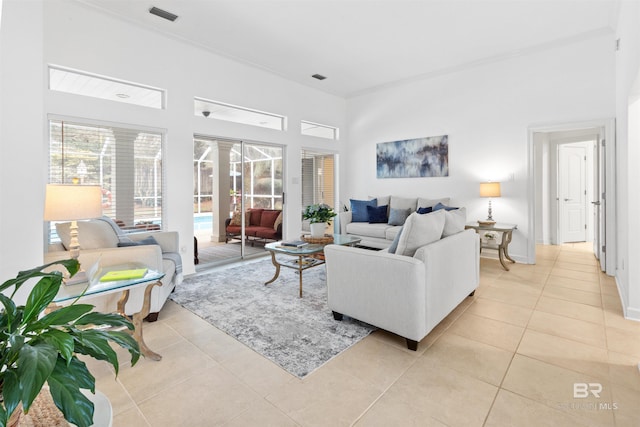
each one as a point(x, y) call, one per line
point(572, 193)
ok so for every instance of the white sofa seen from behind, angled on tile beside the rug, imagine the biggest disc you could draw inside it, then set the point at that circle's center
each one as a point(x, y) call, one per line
point(406, 295)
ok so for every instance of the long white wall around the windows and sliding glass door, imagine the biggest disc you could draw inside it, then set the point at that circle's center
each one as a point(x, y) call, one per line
point(73, 35)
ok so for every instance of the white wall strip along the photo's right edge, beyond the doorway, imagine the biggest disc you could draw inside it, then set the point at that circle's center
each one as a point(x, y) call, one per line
point(628, 155)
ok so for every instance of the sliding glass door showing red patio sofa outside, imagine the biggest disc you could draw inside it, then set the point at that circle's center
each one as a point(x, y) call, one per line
point(231, 177)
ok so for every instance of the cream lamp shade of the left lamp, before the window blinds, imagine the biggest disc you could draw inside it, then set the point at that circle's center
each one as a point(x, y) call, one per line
point(72, 202)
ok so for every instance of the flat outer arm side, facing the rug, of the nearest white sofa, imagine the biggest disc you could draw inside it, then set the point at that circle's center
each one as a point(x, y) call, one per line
point(385, 290)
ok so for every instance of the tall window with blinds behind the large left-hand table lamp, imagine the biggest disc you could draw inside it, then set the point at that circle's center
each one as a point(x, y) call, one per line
point(125, 162)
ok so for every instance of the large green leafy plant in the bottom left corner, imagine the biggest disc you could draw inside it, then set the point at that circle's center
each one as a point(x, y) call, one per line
point(38, 348)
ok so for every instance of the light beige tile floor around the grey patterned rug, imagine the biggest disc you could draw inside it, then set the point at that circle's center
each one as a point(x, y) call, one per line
point(508, 356)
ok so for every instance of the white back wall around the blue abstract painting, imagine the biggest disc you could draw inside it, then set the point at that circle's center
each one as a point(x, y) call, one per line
point(486, 111)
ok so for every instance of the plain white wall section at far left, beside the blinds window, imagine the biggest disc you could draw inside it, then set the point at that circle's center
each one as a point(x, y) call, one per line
point(21, 133)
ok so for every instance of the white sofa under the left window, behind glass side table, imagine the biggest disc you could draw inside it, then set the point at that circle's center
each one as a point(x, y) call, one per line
point(99, 239)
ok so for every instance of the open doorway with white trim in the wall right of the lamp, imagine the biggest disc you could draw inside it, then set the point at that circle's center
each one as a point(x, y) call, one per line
point(569, 170)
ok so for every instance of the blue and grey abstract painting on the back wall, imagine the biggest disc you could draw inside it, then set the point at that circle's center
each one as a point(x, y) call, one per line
point(413, 158)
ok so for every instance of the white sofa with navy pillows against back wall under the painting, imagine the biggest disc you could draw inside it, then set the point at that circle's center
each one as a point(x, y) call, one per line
point(380, 235)
